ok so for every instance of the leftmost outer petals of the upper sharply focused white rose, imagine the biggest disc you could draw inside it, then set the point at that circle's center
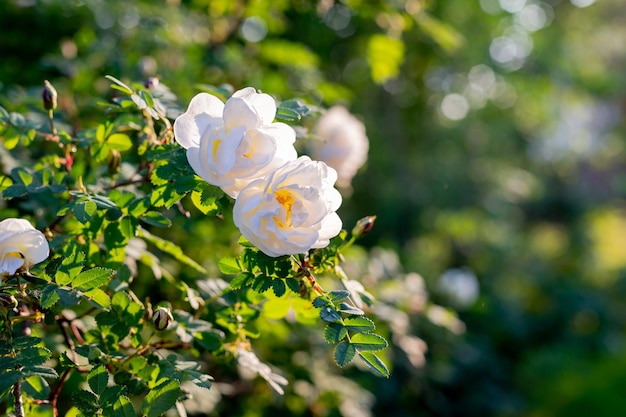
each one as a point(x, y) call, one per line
point(203, 112)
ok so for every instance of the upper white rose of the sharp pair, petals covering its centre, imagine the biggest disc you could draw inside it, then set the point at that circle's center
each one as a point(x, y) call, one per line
point(233, 144)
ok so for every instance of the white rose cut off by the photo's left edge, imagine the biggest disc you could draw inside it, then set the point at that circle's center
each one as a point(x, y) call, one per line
point(21, 246)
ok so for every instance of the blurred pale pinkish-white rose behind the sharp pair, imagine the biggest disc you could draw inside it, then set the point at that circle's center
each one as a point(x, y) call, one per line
point(343, 144)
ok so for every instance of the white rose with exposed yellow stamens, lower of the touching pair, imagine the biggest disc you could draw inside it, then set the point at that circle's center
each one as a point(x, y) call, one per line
point(292, 210)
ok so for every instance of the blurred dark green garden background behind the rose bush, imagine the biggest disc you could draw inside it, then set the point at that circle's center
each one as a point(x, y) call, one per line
point(496, 171)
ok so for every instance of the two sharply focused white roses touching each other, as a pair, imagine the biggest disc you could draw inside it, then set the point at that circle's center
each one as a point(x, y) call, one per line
point(284, 205)
